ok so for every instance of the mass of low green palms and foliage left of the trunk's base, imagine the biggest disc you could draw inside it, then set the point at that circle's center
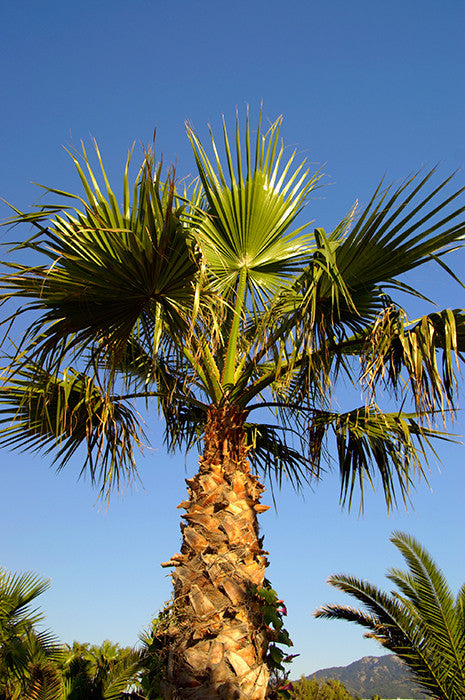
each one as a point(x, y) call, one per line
point(35, 666)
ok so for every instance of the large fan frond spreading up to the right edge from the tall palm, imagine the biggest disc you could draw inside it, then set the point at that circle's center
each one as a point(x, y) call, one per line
point(342, 291)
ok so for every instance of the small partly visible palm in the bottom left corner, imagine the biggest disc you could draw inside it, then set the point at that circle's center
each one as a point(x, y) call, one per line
point(27, 657)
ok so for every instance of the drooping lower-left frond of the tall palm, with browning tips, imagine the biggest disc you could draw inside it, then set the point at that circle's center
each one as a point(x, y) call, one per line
point(42, 412)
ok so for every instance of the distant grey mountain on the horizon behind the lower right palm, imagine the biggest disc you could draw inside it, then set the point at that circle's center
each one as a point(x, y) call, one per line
point(386, 676)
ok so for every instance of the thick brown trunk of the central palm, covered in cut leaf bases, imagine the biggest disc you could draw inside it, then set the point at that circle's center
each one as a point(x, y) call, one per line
point(217, 638)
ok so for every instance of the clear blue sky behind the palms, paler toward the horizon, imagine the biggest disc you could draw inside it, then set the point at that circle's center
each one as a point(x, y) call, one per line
point(367, 88)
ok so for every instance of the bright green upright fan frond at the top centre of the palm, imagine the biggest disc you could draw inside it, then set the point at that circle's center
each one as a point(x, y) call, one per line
point(250, 209)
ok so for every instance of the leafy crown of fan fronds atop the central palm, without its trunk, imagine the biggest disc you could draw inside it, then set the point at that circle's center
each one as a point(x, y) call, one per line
point(208, 296)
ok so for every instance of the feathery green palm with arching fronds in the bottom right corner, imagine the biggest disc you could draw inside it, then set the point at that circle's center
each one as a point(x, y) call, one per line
point(421, 622)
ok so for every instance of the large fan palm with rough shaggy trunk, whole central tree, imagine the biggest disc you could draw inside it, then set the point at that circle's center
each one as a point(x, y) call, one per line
point(213, 301)
